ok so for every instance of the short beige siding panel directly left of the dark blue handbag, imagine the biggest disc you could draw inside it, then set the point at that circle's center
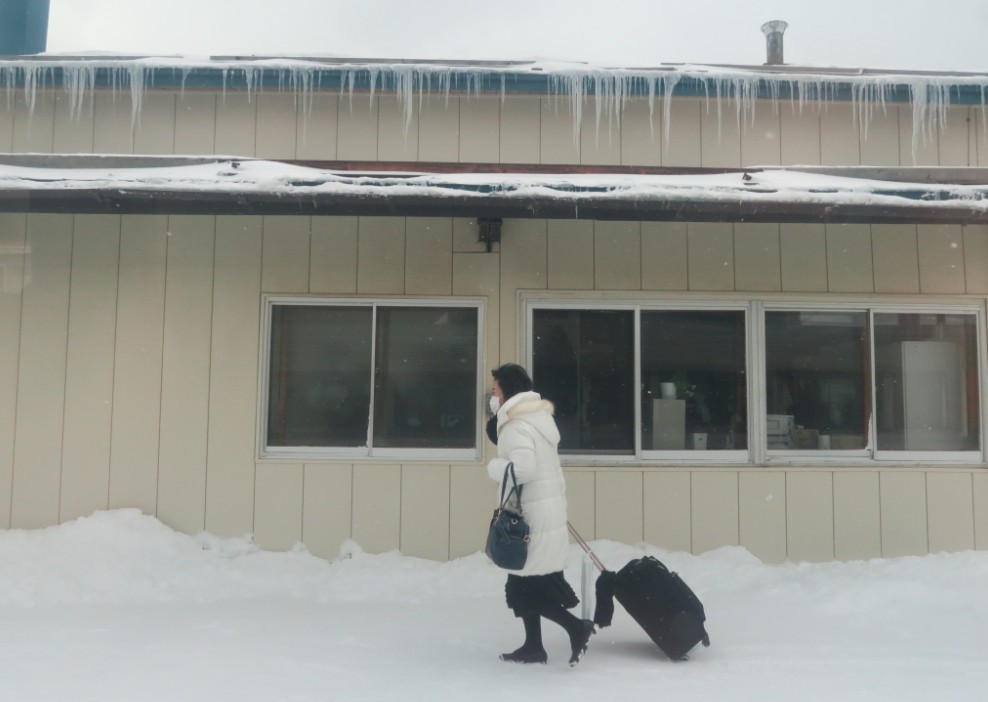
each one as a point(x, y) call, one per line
point(472, 497)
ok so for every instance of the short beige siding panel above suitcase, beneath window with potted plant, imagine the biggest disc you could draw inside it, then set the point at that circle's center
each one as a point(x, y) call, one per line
point(666, 522)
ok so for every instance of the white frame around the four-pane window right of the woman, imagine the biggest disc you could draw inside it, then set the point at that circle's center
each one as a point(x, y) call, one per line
point(757, 452)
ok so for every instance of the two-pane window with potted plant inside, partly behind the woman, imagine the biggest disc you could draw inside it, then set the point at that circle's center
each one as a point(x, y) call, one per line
point(688, 364)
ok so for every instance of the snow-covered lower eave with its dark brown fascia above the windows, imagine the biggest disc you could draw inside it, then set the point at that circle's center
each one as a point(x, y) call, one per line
point(232, 185)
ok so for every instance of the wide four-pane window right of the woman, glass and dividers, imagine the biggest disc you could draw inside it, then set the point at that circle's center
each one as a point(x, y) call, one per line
point(760, 381)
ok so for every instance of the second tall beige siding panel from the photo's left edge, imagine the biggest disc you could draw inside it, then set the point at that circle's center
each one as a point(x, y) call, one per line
point(41, 373)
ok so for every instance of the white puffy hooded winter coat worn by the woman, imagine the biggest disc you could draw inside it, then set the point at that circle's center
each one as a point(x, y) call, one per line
point(527, 436)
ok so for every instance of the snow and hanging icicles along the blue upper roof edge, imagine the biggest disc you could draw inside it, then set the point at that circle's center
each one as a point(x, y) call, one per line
point(609, 88)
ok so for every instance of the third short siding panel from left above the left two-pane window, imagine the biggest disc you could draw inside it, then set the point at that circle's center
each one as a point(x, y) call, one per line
point(381, 256)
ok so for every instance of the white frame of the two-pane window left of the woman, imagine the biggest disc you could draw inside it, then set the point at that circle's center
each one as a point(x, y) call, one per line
point(368, 452)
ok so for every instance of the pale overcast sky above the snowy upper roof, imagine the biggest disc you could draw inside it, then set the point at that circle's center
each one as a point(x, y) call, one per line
point(901, 34)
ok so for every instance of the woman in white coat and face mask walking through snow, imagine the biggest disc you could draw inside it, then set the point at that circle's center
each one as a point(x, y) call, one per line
point(527, 436)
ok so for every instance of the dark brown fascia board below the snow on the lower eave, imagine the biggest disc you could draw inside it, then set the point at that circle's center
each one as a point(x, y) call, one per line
point(143, 201)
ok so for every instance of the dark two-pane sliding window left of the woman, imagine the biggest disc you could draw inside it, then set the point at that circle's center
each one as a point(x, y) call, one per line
point(363, 378)
